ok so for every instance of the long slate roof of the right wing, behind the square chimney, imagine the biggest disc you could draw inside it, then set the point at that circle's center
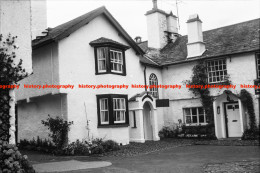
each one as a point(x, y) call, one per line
point(228, 40)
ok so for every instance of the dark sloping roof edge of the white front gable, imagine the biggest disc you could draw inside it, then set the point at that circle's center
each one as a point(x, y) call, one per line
point(64, 30)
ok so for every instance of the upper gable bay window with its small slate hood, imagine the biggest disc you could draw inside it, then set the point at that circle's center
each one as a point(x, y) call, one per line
point(109, 56)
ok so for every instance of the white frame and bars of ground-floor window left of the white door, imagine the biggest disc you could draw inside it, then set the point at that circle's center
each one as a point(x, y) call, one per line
point(197, 114)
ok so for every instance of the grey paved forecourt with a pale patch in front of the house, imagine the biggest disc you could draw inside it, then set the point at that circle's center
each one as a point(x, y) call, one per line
point(186, 159)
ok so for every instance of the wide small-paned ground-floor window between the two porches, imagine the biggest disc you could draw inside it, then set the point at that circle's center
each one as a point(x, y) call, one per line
point(194, 116)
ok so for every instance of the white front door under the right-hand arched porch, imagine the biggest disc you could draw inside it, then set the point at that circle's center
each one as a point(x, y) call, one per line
point(233, 120)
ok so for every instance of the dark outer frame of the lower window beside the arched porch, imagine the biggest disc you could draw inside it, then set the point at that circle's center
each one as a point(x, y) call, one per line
point(111, 111)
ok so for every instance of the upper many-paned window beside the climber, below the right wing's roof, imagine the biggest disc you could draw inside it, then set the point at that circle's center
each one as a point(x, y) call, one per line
point(217, 71)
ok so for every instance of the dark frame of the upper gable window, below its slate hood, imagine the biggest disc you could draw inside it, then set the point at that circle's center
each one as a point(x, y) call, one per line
point(108, 60)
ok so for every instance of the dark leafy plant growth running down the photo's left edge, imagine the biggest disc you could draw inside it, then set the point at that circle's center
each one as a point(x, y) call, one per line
point(11, 72)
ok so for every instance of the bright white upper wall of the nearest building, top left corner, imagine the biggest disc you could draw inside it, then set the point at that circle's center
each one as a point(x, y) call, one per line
point(15, 18)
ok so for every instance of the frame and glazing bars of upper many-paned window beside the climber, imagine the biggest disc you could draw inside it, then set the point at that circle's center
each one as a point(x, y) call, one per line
point(215, 71)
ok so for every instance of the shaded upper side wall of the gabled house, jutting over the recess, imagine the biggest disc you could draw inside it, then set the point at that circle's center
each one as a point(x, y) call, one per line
point(45, 71)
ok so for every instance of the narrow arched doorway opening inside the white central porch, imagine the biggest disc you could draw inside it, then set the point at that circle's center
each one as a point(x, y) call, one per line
point(148, 130)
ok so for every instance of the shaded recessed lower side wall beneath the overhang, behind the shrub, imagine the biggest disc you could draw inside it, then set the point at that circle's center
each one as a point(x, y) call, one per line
point(31, 114)
